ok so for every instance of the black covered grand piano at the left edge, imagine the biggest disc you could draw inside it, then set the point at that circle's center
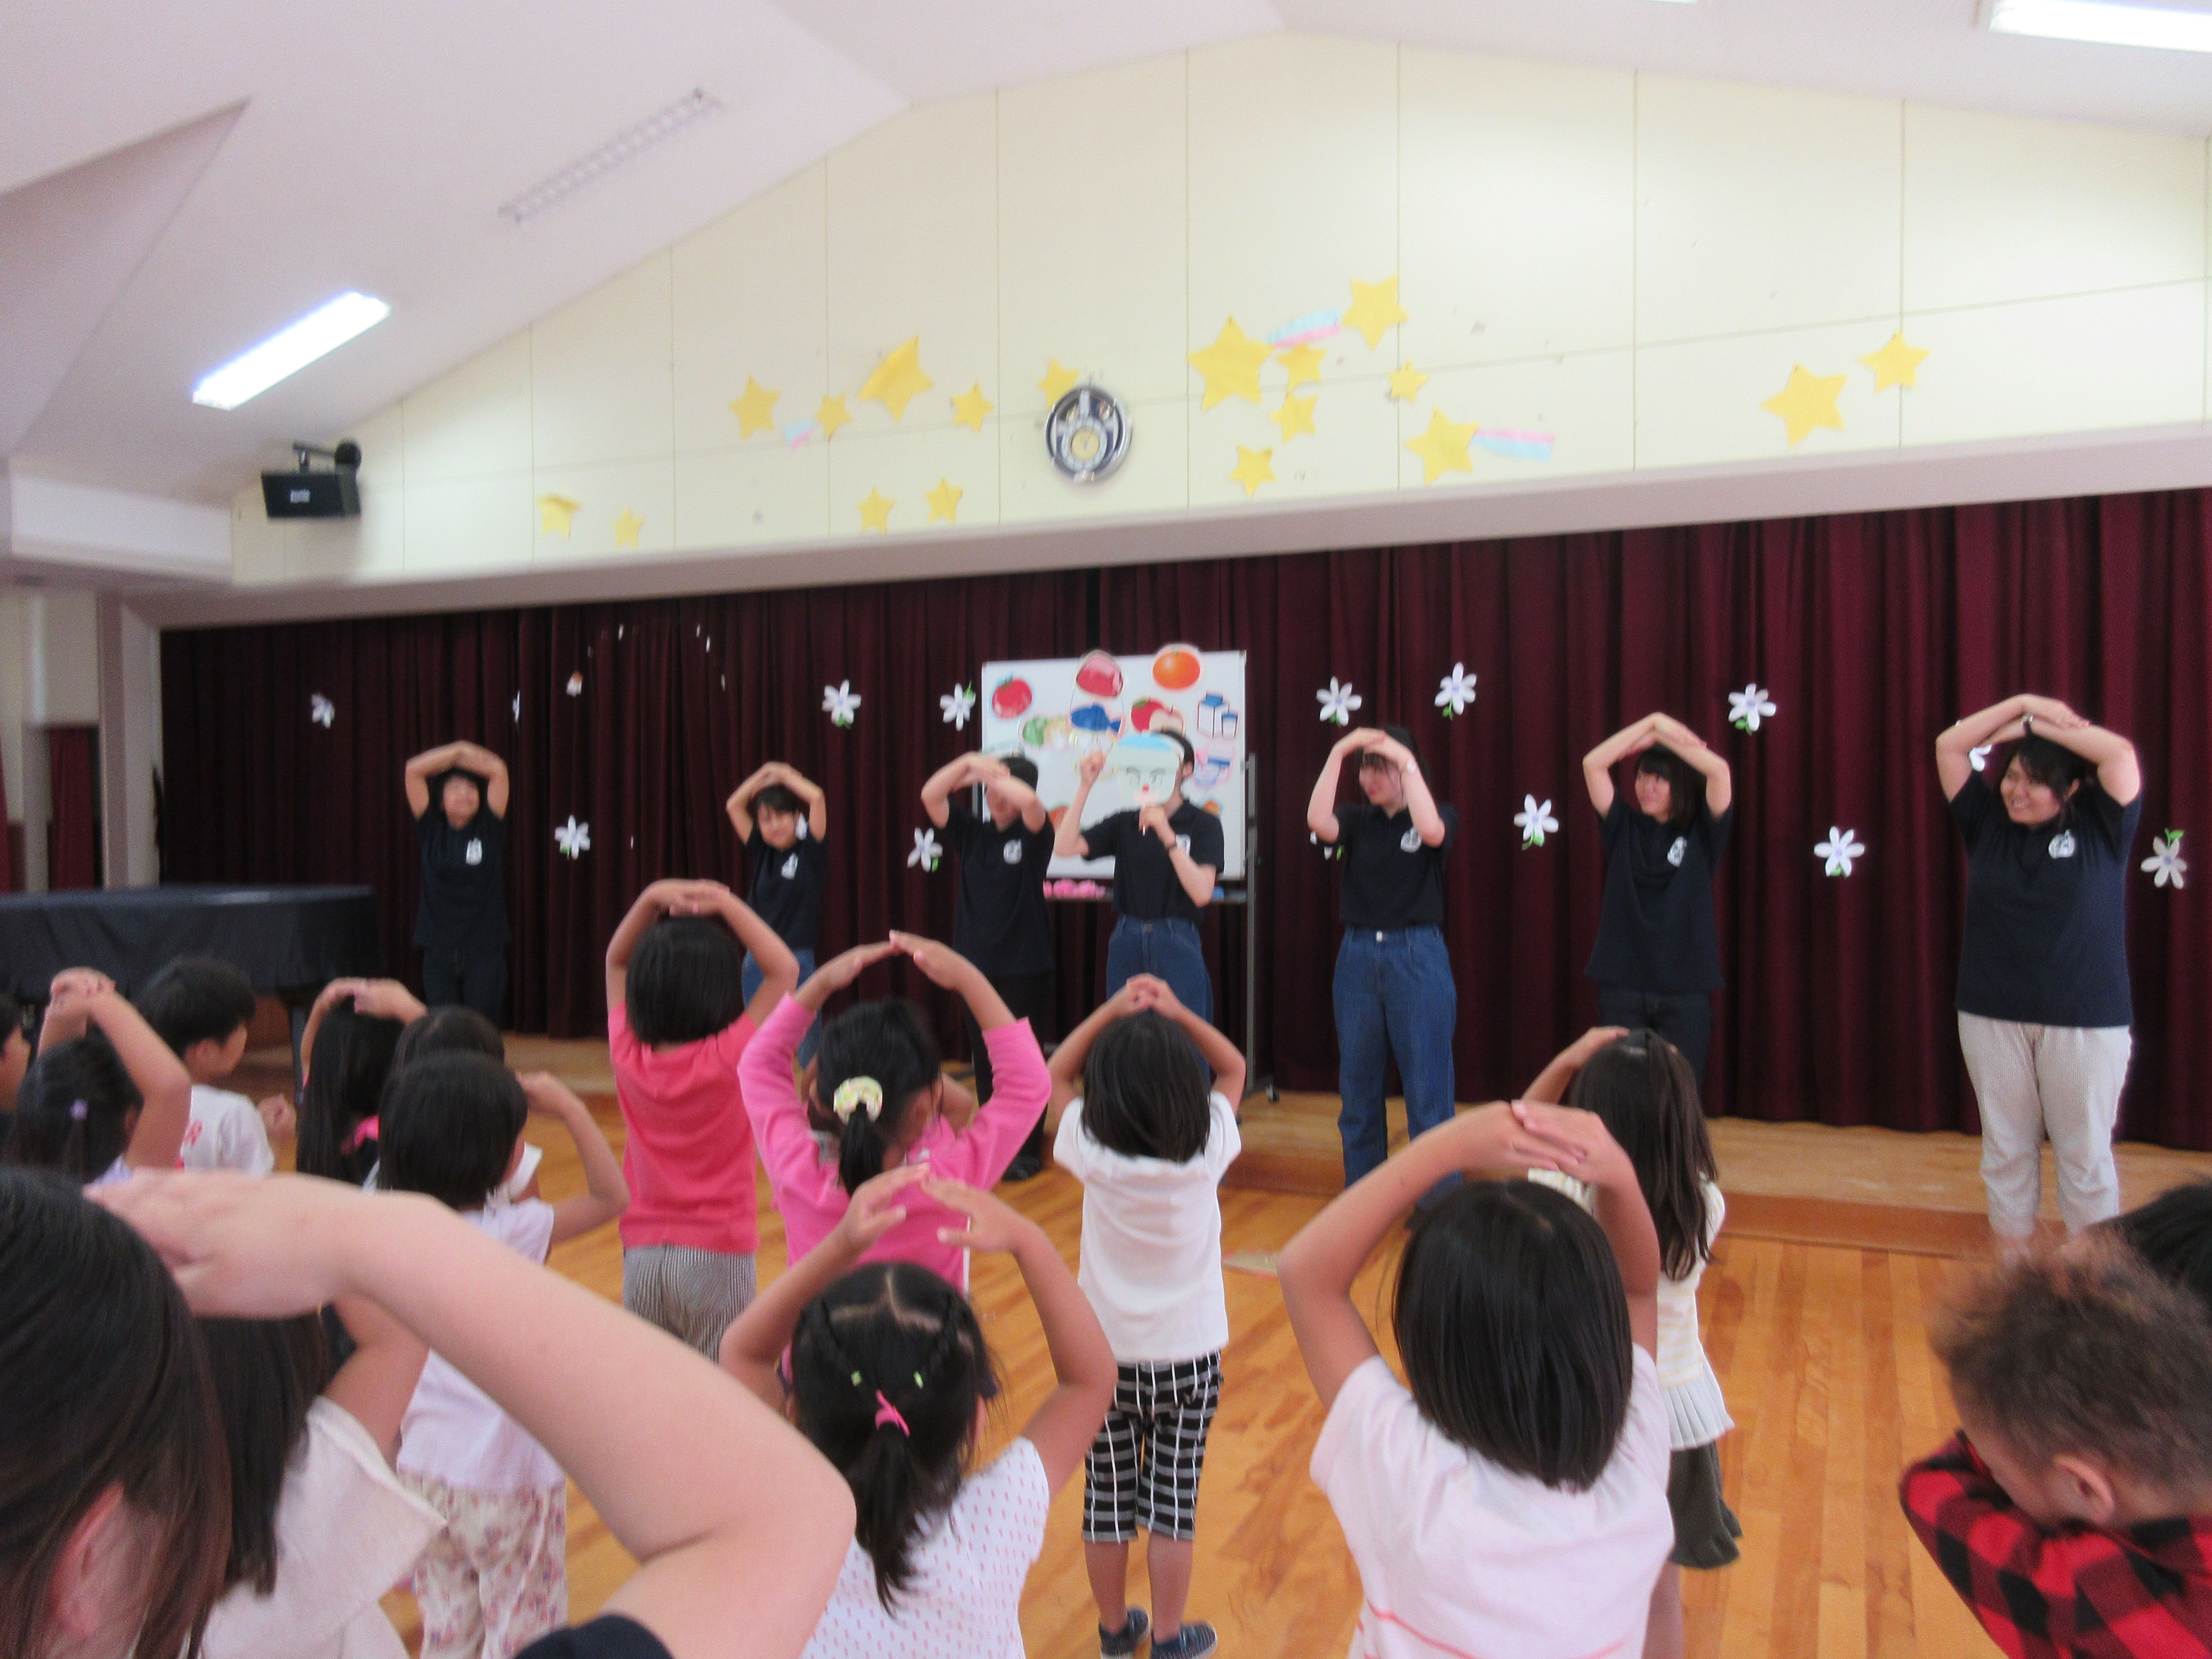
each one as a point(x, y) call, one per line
point(289, 941)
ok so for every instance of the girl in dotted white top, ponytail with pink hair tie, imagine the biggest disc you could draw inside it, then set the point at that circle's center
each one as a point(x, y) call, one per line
point(888, 1379)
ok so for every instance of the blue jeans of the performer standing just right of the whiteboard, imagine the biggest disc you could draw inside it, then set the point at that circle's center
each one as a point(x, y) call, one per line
point(1395, 1001)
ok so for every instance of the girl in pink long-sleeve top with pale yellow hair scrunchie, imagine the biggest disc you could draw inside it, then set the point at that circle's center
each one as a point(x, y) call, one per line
point(879, 1089)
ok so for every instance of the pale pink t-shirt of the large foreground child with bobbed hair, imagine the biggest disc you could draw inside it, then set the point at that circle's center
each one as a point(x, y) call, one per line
point(1465, 1558)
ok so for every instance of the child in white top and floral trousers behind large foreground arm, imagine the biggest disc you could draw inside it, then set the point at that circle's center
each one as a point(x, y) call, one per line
point(499, 1576)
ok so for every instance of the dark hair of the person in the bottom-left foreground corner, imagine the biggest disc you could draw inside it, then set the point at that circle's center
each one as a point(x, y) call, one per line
point(103, 1386)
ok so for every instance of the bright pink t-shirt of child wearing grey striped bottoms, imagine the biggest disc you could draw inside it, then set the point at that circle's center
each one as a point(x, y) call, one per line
point(689, 1154)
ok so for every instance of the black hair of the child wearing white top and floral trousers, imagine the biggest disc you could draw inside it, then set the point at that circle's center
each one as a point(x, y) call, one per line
point(450, 1129)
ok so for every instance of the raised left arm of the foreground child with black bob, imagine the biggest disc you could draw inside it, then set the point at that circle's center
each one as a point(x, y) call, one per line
point(1317, 1269)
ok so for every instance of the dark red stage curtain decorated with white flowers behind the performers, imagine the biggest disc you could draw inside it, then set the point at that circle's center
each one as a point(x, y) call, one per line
point(1870, 634)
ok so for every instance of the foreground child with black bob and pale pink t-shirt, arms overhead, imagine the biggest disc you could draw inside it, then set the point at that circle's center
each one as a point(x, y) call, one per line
point(1510, 1496)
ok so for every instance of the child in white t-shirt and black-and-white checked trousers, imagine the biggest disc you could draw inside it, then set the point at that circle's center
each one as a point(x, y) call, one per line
point(1149, 1136)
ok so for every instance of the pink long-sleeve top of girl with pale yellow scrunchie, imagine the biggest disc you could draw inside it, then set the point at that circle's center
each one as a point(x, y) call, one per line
point(806, 1185)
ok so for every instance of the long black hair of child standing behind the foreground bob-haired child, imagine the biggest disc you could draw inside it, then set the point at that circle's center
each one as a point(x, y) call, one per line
point(1647, 1096)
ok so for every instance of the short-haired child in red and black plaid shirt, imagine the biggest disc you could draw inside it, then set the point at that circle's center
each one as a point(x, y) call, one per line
point(2074, 1510)
